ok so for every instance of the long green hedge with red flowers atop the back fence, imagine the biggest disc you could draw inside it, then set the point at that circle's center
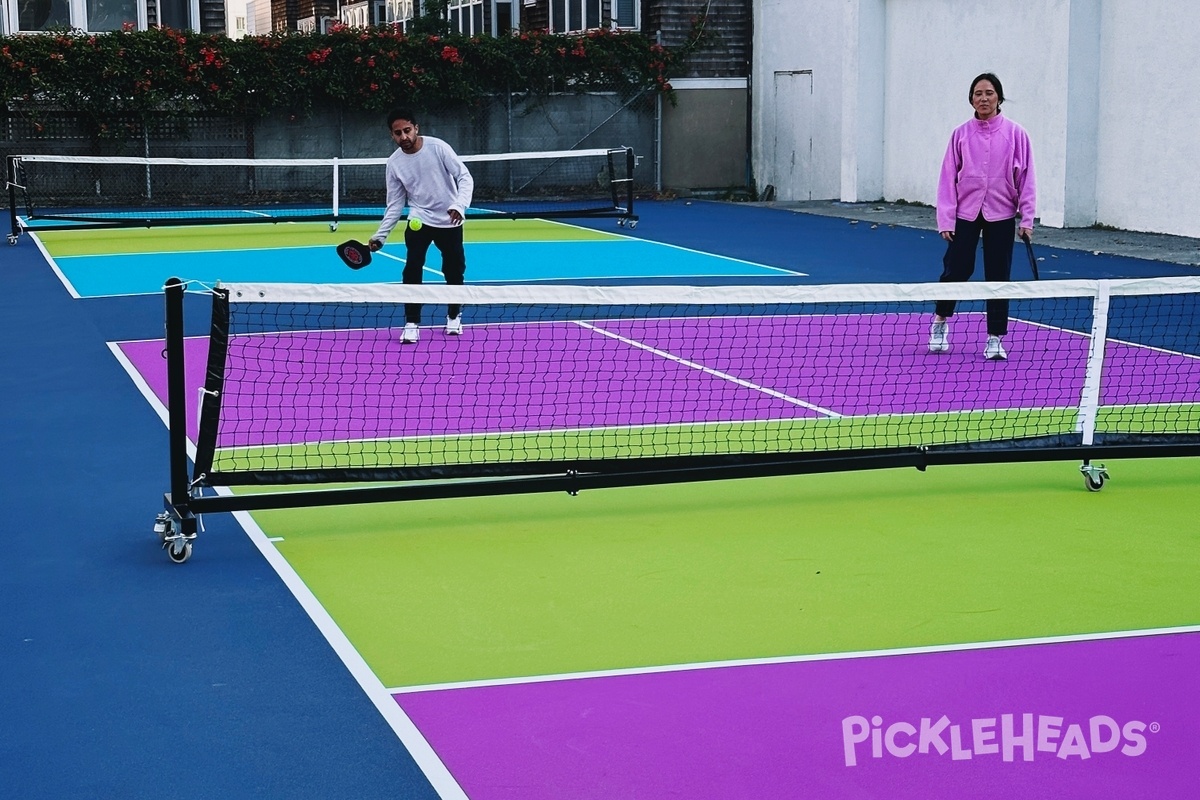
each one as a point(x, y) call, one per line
point(127, 76)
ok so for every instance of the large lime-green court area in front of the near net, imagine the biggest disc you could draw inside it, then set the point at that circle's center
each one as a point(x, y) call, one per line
point(490, 588)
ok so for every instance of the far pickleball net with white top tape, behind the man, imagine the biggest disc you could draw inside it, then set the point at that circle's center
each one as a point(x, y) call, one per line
point(129, 191)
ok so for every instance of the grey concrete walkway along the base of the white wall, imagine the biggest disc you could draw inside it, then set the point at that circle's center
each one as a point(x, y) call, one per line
point(1157, 248)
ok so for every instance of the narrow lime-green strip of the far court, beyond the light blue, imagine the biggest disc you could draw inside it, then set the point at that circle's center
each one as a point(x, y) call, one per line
point(287, 234)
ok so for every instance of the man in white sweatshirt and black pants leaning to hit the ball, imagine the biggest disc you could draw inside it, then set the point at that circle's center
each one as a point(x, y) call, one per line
point(428, 177)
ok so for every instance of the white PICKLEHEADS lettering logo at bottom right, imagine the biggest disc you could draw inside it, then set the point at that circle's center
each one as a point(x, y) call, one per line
point(1011, 737)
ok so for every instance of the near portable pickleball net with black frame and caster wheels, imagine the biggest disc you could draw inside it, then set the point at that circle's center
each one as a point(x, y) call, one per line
point(308, 389)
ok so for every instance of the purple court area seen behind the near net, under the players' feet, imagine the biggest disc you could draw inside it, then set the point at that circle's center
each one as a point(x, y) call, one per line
point(499, 378)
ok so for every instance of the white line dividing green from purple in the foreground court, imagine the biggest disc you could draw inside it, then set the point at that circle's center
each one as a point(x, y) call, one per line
point(787, 660)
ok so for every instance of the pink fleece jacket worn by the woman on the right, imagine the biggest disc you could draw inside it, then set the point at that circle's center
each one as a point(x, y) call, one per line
point(989, 170)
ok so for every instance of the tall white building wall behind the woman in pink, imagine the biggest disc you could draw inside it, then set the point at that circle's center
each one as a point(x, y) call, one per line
point(1101, 86)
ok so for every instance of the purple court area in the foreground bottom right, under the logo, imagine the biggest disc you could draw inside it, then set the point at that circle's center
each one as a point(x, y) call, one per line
point(1091, 719)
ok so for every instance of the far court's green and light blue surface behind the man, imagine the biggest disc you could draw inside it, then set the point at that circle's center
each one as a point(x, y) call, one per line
point(130, 261)
